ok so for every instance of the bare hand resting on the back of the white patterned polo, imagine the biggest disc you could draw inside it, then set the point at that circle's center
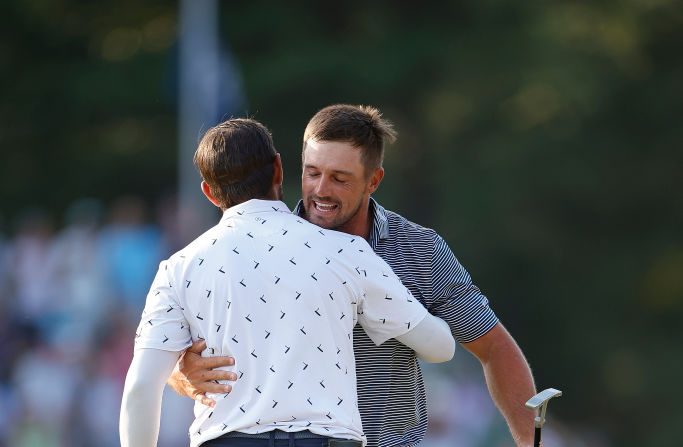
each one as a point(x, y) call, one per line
point(194, 375)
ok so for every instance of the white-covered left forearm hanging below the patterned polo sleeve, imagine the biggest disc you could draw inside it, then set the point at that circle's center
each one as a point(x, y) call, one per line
point(141, 404)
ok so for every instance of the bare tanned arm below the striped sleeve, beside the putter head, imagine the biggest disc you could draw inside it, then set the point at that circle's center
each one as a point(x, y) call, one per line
point(509, 380)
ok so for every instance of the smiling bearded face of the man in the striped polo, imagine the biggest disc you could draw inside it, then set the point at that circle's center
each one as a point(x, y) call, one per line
point(335, 187)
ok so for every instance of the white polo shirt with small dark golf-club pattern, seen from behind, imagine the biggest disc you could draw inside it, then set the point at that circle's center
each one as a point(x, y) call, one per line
point(281, 296)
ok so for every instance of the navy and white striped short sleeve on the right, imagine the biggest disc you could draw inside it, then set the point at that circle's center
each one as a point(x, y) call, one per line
point(456, 299)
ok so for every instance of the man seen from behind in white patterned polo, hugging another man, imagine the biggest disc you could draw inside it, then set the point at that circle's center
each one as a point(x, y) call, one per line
point(280, 294)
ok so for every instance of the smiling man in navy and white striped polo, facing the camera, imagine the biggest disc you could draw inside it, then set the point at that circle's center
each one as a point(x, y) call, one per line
point(342, 155)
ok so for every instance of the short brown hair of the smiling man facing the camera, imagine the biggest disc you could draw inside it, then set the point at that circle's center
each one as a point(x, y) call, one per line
point(362, 126)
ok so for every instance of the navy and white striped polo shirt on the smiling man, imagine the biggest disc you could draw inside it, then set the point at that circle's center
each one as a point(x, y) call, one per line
point(391, 393)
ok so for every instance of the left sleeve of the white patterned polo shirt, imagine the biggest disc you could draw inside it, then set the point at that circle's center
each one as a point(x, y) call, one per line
point(163, 325)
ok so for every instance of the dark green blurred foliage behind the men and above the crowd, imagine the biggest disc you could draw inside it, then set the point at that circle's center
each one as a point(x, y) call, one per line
point(541, 139)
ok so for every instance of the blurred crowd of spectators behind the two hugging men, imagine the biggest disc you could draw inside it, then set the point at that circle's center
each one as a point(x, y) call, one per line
point(70, 300)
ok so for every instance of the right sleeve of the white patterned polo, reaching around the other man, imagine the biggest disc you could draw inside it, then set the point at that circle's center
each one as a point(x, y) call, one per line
point(386, 309)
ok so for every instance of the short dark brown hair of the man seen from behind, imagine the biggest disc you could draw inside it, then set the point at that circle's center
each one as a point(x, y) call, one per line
point(235, 158)
